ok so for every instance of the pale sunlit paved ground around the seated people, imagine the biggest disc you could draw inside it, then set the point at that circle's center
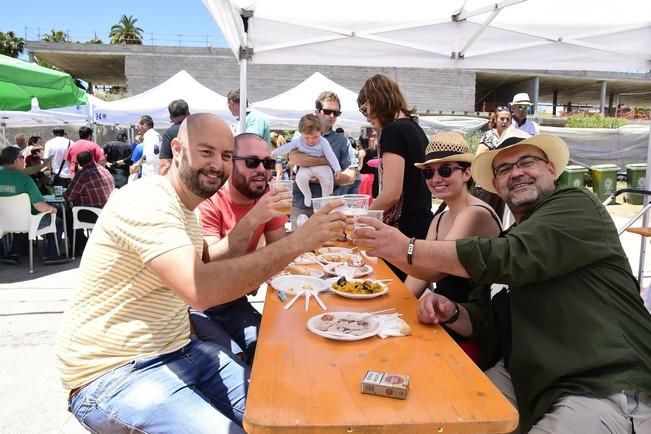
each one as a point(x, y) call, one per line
point(32, 399)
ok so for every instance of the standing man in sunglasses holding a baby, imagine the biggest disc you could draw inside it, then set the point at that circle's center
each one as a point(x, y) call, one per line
point(328, 109)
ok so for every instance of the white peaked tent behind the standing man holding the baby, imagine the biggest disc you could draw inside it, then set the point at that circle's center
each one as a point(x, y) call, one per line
point(285, 110)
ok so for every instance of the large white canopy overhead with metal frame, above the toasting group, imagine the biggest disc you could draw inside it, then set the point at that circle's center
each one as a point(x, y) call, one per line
point(585, 35)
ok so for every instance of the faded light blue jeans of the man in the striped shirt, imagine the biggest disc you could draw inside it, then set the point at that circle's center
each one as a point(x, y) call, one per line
point(200, 388)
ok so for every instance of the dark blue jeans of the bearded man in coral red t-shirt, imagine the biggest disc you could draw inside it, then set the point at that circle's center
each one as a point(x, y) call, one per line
point(233, 325)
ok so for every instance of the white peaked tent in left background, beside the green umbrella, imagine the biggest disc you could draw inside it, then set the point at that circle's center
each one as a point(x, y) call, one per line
point(154, 102)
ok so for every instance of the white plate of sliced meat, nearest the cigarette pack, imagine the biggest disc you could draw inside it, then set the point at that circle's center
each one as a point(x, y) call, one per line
point(344, 326)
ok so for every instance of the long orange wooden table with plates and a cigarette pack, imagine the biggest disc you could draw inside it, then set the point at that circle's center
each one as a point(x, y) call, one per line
point(302, 382)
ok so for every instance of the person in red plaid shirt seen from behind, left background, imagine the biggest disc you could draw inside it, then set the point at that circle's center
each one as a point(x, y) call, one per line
point(91, 186)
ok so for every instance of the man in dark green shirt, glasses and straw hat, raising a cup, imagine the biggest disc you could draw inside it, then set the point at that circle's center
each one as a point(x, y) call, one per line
point(566, 337)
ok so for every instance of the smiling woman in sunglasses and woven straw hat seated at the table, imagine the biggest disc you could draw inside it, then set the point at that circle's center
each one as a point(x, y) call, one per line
point(446, 170)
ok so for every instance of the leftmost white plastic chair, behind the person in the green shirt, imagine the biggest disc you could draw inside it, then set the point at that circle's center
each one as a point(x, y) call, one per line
point(16, 212)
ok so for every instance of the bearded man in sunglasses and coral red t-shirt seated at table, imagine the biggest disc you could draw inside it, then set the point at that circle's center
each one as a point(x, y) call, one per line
point(234, 221)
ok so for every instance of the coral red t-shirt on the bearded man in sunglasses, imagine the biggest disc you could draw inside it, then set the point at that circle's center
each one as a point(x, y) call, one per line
point(219, 214)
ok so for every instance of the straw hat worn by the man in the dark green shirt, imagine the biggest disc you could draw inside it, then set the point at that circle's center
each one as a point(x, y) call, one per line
point(554, 148)
